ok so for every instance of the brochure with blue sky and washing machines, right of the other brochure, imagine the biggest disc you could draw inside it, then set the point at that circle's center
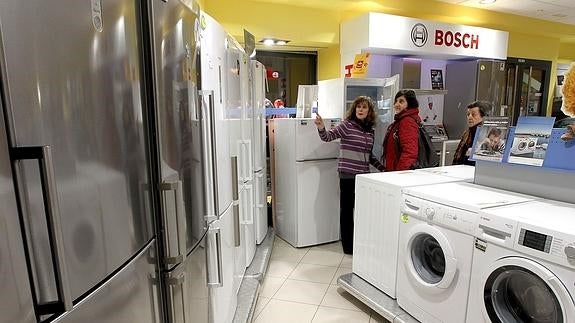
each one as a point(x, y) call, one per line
point(531, 140)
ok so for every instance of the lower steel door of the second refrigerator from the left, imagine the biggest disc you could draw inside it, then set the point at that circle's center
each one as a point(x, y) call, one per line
point(187, 290)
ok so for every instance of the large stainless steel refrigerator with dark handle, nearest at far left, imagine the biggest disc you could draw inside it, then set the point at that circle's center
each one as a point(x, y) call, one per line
point(77, 243)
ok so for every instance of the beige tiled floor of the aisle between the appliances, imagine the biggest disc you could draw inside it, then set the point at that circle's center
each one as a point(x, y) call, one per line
point(301, 287)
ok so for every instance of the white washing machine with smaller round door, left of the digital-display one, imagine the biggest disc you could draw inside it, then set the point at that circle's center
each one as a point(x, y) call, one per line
point(436, 247)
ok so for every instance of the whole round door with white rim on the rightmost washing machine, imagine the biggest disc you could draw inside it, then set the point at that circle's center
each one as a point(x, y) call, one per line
point(517, 289)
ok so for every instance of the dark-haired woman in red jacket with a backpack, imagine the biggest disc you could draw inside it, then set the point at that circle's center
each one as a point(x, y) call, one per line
point(400, 145)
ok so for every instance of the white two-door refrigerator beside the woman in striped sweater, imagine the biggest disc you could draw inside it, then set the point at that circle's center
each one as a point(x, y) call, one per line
point(306, 182)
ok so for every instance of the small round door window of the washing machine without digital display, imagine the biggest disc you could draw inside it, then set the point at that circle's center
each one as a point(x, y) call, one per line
point(428, 258)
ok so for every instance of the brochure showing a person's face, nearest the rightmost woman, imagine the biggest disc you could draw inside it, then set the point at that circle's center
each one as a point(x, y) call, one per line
point(490, 142)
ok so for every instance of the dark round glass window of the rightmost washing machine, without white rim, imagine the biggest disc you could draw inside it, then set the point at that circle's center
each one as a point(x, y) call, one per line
point(515, 294)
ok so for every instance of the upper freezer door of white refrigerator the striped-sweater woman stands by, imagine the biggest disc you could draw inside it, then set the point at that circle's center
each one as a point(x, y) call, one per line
point(308, 145)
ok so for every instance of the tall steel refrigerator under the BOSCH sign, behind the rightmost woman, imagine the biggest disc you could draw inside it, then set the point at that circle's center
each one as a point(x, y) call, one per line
point(468, 81)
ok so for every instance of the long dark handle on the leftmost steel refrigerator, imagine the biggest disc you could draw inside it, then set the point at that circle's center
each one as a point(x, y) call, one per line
point(50, 195)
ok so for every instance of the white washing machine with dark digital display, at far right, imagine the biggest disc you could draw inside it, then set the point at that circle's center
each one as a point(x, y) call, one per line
point(524, 264)
